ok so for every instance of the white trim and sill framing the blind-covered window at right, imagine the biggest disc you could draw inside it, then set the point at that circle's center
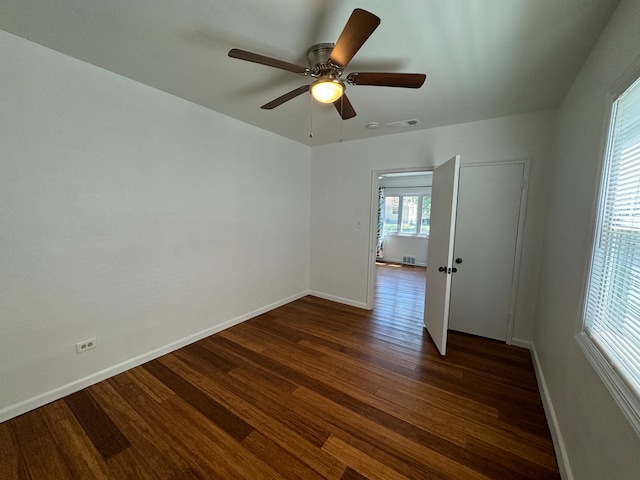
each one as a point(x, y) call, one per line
point(627, 399)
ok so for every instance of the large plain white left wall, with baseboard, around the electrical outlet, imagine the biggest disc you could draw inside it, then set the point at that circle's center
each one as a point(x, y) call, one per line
point(117, 221)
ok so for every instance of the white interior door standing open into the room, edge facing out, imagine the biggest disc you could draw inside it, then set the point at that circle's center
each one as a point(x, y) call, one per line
point(440, 255)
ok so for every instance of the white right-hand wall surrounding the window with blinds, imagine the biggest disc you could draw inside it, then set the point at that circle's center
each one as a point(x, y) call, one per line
point(598, 440)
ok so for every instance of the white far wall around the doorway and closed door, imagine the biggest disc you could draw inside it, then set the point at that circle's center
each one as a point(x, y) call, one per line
point(341, 176)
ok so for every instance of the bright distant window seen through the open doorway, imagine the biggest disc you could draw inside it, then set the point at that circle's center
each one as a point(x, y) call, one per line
point(407, 214)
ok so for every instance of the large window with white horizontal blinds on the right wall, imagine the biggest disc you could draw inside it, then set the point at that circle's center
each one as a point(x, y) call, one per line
point(611, 334)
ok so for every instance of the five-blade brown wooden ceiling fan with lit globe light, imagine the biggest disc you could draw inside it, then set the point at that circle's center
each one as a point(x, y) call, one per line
point(327, 63)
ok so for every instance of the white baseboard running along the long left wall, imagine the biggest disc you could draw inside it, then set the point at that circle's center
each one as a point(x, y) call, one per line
point(42, 399)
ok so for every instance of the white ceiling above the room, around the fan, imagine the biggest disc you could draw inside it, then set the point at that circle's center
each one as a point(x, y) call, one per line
point(483, 58)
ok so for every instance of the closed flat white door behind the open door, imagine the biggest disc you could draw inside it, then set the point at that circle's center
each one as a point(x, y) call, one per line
point(490, 199)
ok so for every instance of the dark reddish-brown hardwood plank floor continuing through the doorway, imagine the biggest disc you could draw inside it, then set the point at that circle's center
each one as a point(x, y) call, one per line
point(310, 390)
